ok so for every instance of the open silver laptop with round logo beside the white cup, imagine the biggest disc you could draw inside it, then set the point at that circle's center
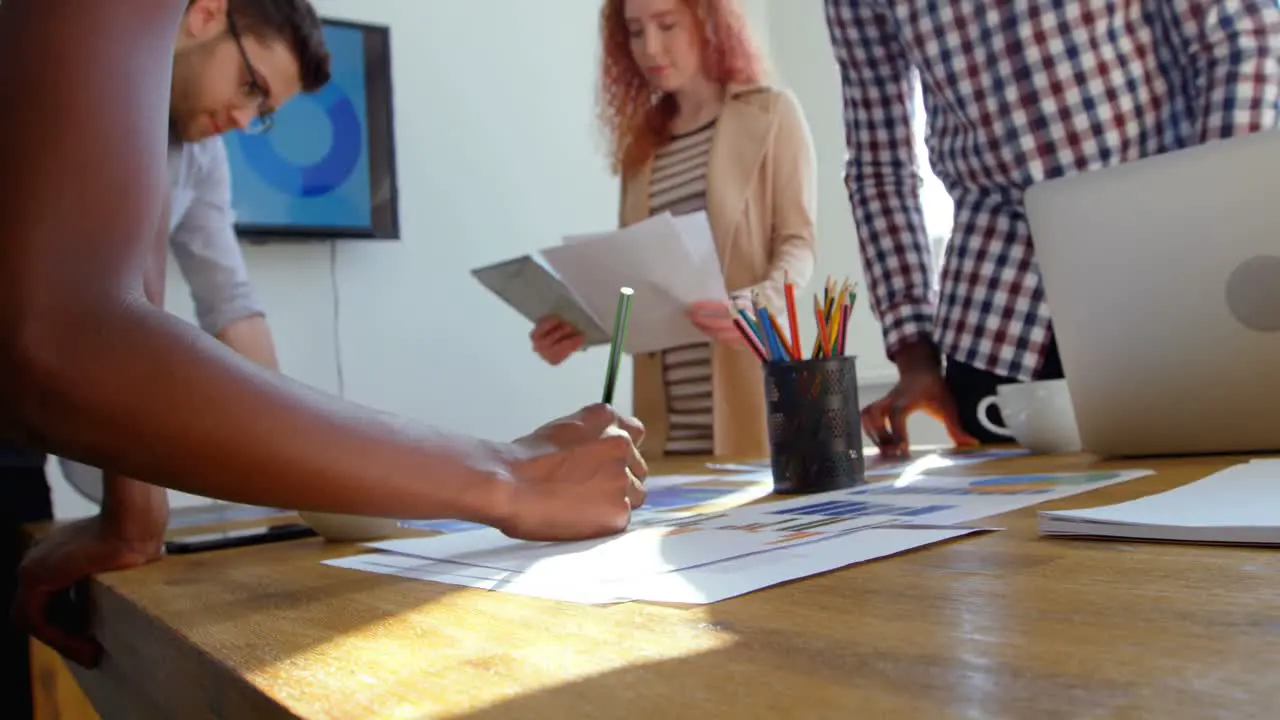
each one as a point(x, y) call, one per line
point(1163, 277)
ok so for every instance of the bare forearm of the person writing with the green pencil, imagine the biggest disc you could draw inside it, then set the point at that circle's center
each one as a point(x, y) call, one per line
point(156, 399)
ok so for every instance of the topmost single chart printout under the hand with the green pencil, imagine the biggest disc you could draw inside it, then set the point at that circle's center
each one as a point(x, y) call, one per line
point(714, 537)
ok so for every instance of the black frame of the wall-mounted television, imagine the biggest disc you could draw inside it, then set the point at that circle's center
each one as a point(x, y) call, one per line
point(382, 152)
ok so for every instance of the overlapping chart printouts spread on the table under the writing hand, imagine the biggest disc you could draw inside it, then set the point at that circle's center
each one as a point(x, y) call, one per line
point(679, 554)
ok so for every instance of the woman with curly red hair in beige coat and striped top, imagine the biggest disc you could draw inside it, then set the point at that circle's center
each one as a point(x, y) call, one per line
point(693, 127)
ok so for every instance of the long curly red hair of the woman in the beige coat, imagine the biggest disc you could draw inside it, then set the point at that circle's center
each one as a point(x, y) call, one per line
point(637, 120)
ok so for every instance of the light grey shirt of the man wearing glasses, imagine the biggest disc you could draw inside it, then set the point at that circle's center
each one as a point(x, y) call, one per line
point(203, 235)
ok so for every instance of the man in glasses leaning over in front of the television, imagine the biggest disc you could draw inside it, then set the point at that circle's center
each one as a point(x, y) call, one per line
point(226, 79)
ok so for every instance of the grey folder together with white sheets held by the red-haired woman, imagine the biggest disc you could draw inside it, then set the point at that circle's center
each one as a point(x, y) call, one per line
point(670, 262)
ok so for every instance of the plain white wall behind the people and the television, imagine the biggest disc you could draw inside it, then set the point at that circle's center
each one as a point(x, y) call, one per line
point(497, 156)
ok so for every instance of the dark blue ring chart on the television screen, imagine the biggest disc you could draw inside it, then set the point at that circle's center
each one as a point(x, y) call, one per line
point(332, 170)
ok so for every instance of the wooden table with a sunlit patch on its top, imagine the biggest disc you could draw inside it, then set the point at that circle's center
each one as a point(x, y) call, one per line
point(996, 626)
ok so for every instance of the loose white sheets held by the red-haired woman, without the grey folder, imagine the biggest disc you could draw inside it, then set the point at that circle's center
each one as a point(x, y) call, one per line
point(666, 263)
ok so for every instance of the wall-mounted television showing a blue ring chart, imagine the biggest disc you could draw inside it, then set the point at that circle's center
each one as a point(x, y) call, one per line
point(327, 168)
